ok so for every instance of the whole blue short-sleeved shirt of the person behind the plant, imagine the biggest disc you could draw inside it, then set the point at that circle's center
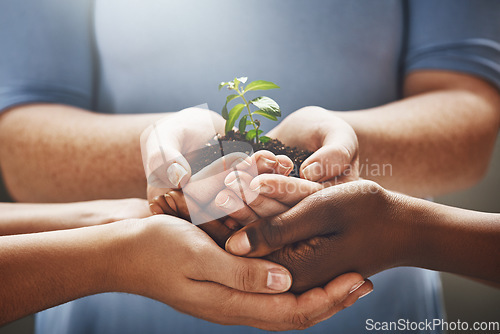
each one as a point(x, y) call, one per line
point(119, 56)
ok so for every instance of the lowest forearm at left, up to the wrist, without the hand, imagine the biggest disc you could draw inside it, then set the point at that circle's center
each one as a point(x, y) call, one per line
point(42, 270)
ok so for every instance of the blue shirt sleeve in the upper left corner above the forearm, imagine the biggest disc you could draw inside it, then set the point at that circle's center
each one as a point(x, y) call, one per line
point(46, 52)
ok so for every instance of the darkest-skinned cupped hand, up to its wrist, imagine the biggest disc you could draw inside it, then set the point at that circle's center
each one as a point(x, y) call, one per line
point(340, 229)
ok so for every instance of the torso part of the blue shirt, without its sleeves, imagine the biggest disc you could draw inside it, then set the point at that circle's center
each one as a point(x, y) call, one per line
point(160, 56)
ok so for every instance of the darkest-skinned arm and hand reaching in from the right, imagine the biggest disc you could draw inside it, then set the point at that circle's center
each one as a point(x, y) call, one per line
point(408, 232)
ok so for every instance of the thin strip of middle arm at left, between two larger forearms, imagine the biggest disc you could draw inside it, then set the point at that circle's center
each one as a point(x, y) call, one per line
point(19, 218)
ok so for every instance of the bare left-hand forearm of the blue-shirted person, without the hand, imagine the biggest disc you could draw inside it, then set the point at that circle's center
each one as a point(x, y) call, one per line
point(57, 153)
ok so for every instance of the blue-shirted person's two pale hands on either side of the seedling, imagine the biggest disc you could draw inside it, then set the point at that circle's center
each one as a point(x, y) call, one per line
point(165, 145)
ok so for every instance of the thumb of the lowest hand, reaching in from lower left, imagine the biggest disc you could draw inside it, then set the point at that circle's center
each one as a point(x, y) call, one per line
point(244, 274)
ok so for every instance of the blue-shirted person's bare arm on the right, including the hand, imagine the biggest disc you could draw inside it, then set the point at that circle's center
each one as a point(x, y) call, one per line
point(436, 140)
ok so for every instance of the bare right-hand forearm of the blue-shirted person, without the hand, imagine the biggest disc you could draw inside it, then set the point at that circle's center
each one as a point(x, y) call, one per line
point(434, 141)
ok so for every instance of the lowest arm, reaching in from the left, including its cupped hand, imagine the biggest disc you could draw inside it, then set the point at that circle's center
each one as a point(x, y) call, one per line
point(137, 256)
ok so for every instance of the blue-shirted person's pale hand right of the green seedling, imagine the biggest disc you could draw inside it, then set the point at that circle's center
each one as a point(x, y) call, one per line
point(332, 140)
